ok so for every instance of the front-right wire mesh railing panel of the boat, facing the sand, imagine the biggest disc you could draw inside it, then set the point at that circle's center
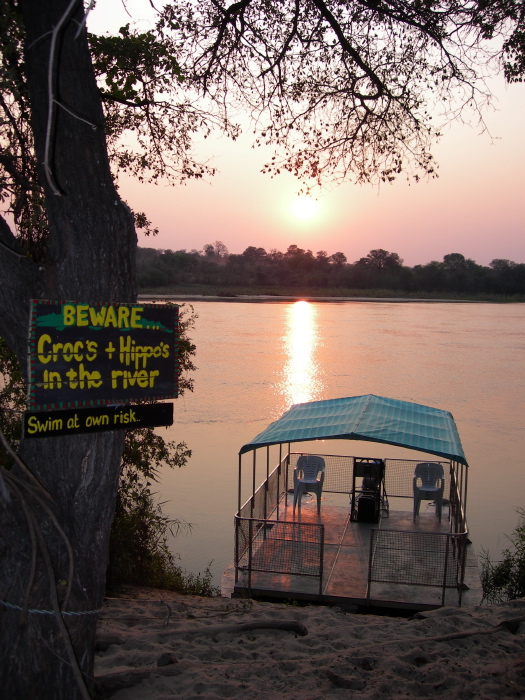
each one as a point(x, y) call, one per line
point(416, 558)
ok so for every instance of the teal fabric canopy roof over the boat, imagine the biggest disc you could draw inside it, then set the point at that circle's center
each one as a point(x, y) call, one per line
point(371, 418)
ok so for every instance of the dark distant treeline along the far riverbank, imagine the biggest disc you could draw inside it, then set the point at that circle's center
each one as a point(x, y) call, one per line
point(214, 267)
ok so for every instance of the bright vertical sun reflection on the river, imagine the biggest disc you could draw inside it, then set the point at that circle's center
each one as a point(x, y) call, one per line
point(301, 381)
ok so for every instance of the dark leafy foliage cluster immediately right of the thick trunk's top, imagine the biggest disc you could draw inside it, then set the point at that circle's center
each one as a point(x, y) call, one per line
point(150, 120)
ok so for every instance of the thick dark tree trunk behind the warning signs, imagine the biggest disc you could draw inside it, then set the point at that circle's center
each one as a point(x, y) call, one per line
point(91, 258)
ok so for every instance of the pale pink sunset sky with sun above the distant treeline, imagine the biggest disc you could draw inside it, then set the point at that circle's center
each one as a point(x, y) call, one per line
point(476, 207)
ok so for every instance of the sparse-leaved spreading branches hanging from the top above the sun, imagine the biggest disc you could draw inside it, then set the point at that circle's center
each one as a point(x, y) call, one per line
point(342, 88)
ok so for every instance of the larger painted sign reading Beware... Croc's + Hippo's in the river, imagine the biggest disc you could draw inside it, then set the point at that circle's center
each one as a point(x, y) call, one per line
point(94, 354)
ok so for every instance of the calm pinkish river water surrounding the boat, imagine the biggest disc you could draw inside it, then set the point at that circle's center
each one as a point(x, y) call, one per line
point(257, 359)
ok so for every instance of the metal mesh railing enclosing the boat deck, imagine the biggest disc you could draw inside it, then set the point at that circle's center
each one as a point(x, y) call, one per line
point(264, 542)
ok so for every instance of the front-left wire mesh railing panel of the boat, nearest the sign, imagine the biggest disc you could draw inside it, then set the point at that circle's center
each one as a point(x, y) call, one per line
point(280, 547)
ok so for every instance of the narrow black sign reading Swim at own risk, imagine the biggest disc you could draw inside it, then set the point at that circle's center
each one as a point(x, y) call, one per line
point(90, 420)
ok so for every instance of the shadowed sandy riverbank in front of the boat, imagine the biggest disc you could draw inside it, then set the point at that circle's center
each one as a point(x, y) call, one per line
point(156, 644)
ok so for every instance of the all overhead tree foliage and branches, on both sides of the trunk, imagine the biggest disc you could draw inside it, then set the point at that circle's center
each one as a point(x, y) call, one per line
point(342, 89)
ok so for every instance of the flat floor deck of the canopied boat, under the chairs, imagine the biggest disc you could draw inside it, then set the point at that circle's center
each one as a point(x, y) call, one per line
point(346, 562)
